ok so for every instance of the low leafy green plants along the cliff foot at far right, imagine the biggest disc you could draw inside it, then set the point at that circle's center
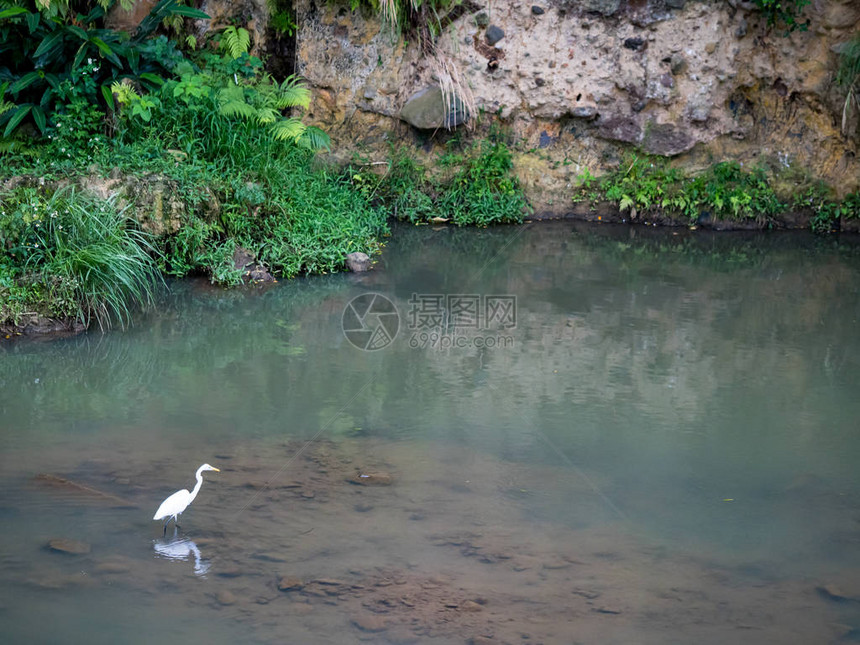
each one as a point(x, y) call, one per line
point(647, 186)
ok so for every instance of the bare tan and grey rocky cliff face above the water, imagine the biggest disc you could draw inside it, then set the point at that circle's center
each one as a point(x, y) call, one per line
point(580, 81)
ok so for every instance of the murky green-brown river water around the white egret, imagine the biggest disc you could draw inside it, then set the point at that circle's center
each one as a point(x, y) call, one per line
point(547, 434)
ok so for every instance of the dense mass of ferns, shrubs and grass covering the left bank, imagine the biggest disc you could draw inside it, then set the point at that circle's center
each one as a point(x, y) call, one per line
point(212, 125)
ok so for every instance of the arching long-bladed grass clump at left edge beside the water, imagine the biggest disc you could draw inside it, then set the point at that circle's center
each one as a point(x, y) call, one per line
point(69, 256)
